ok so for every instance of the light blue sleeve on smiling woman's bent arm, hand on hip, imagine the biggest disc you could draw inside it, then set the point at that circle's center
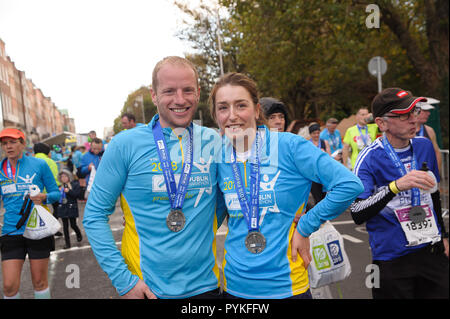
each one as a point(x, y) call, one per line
point(342, 185)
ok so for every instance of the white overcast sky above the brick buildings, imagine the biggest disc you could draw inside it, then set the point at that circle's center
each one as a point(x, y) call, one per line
point(88, 55)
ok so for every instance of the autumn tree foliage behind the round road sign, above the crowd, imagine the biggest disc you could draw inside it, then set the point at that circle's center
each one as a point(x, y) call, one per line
point(313, 55)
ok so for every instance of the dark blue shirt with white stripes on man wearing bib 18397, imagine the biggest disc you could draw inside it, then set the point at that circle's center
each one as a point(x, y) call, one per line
point(375, 169)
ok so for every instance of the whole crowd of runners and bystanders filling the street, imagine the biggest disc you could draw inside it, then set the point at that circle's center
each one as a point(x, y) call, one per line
point(178, 182)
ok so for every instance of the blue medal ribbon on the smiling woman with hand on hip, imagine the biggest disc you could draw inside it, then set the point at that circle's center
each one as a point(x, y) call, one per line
point(250, 210)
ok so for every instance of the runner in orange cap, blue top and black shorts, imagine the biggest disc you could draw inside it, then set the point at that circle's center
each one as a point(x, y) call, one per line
point(17, 174)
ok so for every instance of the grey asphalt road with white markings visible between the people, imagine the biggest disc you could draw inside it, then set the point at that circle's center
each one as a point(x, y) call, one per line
point(75, 274)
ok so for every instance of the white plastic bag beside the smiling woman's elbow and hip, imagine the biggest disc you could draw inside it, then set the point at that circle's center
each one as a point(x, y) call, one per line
point(329, 263)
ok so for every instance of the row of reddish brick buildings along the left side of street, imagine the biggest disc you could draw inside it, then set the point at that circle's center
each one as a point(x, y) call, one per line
point(24, 105)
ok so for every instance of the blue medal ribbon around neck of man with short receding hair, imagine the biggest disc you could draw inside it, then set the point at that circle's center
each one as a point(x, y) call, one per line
point(176, 196)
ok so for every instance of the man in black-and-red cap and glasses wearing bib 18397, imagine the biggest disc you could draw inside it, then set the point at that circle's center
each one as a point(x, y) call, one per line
point(401, 203)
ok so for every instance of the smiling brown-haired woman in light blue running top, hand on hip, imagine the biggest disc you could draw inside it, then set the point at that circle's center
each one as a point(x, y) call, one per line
point(265, 178)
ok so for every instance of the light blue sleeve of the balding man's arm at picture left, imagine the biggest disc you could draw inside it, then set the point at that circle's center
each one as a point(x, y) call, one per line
point(109, 182)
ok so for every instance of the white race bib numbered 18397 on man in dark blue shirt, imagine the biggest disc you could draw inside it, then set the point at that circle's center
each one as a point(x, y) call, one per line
point(421, 232)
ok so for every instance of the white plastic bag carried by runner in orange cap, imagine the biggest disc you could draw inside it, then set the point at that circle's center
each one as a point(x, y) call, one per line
point(40, 223)
